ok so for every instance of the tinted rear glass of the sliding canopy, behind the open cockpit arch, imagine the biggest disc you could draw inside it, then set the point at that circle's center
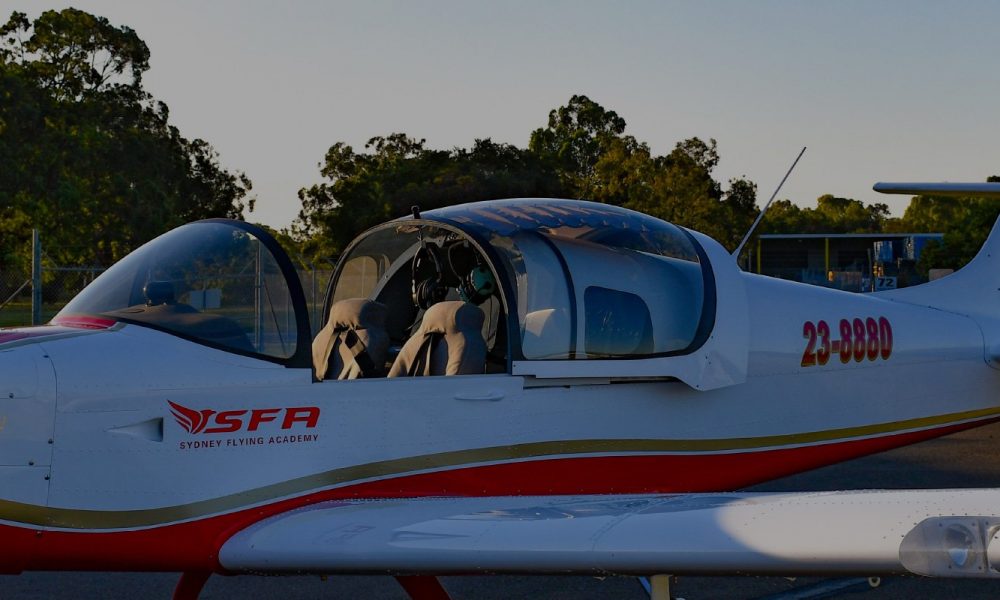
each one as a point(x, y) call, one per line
point(592, 280)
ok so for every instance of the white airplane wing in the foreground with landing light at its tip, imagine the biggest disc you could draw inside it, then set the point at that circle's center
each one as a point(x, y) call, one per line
point(927, 532)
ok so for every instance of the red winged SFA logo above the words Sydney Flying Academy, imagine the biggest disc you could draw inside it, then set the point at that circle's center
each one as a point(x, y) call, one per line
point(230, 421)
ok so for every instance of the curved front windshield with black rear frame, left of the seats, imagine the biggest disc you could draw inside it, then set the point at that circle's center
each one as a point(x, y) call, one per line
point(222, 283)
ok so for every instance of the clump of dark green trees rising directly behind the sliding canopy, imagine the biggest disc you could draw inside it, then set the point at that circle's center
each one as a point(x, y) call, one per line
point(583, 152)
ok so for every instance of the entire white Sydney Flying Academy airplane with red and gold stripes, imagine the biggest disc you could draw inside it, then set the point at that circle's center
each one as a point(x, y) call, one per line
point(515, 386)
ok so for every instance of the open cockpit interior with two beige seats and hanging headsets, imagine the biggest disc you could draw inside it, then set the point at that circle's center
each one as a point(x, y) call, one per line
point(413, 299)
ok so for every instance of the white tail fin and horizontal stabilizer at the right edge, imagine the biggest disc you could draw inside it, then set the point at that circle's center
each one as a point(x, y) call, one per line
point(975, 288)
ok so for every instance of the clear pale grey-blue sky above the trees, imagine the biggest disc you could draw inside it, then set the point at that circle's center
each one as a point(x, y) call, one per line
point(887, 90)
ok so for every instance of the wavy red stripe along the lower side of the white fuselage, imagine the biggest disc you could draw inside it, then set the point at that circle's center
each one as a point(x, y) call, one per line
point(194, 546)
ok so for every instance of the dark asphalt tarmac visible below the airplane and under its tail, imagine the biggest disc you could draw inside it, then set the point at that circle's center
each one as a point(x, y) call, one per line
point(967, 459)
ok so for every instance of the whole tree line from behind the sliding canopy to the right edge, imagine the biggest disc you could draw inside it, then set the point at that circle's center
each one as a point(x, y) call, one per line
point(584, 152)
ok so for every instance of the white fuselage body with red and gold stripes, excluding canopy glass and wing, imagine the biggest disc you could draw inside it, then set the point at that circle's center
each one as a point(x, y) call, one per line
point(115, 436)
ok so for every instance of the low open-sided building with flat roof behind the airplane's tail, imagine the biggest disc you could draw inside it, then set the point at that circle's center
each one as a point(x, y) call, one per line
point(856, 262)
